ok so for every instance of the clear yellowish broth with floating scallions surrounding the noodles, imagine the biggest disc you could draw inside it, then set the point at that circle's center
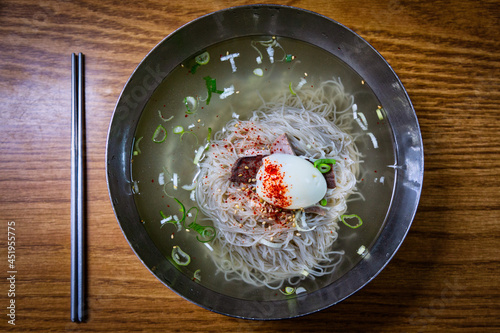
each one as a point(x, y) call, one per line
point(246, 74)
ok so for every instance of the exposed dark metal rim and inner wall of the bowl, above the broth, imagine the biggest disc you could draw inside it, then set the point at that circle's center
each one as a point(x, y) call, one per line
point(303, 26)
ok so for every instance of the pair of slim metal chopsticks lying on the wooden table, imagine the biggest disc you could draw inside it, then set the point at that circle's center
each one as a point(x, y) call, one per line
point(77, 190)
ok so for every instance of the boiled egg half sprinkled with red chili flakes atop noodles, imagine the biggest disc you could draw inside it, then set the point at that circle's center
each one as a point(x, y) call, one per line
point(290, 182)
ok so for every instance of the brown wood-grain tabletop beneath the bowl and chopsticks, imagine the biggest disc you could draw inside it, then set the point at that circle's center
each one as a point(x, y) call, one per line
point(445, 276)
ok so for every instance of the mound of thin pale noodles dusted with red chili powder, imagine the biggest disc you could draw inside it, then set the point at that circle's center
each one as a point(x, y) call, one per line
point(257, 242)
